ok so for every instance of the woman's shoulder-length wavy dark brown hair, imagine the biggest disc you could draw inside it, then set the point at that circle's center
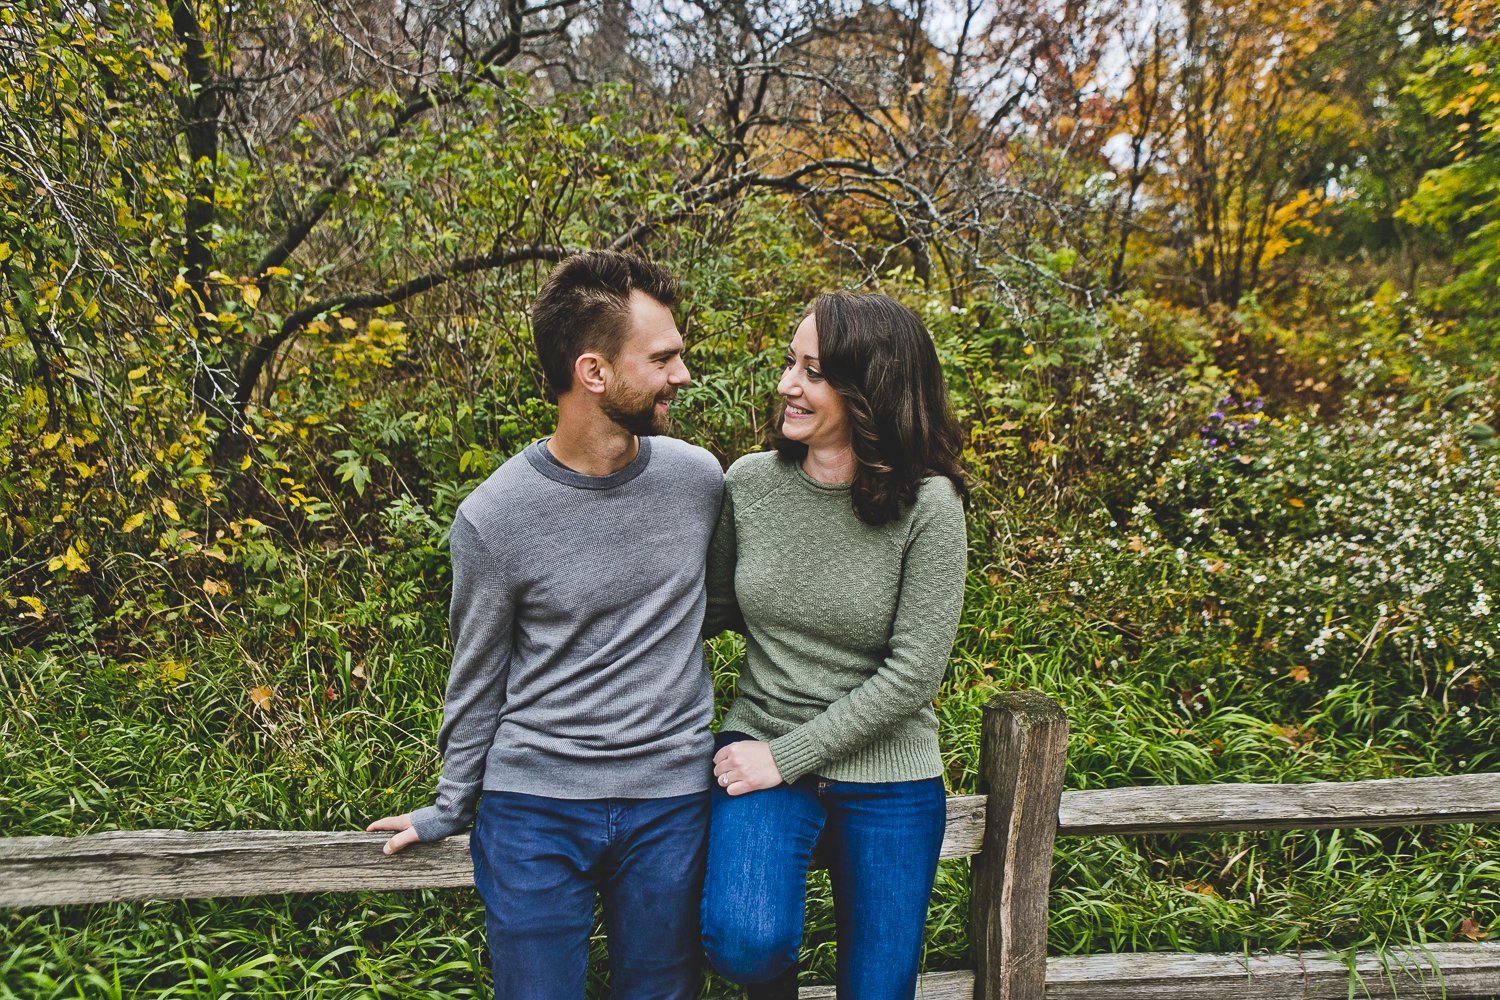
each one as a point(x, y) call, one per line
point(878, 356)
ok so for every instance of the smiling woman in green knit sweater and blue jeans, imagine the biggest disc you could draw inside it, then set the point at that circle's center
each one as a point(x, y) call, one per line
point(841, 557)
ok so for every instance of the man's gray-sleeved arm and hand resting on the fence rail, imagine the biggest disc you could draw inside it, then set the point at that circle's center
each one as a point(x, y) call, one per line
point(481, 624)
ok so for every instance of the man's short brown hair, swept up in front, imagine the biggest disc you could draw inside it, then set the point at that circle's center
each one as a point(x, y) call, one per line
point(584, 307)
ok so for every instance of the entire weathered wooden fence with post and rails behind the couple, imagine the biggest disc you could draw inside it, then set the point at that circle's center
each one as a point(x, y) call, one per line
point(1009, 831)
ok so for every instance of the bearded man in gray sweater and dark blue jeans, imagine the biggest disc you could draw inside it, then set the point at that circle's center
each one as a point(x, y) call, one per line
point(575, 728)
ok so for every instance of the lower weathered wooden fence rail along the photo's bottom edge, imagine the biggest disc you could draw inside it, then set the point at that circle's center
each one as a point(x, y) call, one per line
point(1441, 971)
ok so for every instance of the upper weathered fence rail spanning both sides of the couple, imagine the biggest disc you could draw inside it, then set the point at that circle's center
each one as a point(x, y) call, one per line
point(172, 864)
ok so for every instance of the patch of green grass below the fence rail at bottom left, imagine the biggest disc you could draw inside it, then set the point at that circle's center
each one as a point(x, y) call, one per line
point(355, 945)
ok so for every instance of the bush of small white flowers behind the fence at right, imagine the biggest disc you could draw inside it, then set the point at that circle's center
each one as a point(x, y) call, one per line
point(1366, 539)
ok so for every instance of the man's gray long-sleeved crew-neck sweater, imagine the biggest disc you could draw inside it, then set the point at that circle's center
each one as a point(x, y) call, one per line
point(578, 605)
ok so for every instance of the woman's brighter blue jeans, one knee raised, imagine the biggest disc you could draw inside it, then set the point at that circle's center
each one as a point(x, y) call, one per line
point(880, 842)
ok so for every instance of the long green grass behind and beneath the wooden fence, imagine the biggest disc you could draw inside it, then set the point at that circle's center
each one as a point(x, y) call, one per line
point(173, 740)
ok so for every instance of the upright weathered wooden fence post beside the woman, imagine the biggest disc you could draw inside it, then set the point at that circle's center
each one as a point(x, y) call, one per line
point(1022, 750)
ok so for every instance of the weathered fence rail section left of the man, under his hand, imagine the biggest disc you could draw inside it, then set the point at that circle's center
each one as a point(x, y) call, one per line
point(178, 866)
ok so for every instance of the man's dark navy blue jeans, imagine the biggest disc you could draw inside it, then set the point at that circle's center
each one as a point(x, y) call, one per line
point(539, 864)
